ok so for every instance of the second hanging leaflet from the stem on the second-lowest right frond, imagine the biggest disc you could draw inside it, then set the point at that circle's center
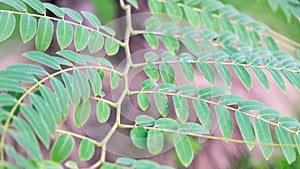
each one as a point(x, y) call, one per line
point(162, 104)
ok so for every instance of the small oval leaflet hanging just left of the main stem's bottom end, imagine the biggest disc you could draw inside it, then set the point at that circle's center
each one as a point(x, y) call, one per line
point(86, 150)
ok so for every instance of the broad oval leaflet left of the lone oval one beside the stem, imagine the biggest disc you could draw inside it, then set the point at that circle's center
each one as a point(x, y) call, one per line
point(82, 113)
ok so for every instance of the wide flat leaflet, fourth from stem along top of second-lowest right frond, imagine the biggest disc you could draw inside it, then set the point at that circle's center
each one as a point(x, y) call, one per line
point(214, 91)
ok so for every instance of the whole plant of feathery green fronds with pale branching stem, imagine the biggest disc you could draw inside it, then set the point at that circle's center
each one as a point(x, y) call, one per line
point(199, 38)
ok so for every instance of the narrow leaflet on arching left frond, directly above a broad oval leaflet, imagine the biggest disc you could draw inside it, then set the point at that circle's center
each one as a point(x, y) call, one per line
point(83, 84)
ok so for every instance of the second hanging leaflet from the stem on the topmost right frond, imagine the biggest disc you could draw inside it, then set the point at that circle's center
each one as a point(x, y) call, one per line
point(173, 10)
